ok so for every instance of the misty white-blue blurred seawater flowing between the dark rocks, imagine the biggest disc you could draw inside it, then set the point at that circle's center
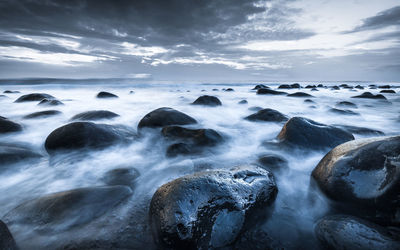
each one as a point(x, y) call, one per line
point(295, 212)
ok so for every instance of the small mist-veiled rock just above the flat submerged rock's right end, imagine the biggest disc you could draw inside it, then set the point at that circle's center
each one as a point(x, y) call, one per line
point(121, 176)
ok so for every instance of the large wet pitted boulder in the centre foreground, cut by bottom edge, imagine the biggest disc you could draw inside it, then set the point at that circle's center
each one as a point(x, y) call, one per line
point(210, 209)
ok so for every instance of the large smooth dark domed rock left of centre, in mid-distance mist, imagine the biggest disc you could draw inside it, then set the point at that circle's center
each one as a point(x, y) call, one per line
point(80, 135)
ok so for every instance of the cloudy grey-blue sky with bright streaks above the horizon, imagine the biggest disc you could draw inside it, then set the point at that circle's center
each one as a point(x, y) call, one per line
point(201, 40)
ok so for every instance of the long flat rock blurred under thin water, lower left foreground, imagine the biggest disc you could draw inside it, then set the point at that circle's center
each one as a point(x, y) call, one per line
point(65, 210)
